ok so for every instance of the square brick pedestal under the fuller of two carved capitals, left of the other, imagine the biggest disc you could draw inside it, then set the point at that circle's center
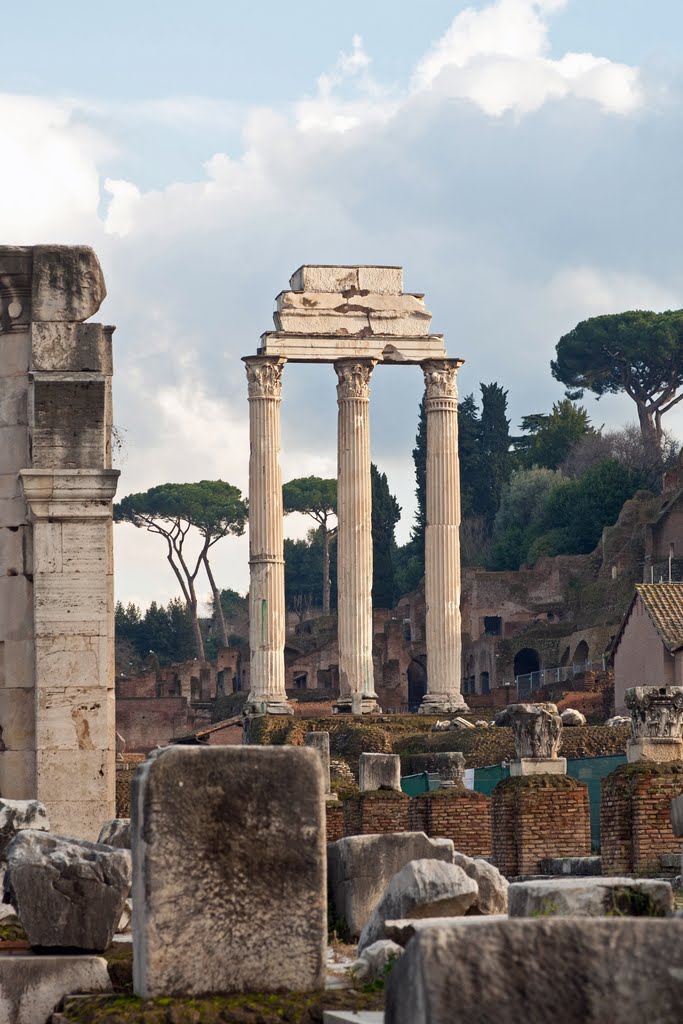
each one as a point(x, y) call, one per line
point(536, 818)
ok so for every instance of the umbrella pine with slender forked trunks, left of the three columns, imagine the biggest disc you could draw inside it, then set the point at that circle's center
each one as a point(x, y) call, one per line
point(214, 508)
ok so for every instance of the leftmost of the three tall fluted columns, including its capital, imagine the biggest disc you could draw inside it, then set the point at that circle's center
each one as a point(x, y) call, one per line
point(267, 562)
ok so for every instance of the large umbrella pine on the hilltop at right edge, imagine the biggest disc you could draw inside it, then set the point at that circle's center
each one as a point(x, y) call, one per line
point(638, 352)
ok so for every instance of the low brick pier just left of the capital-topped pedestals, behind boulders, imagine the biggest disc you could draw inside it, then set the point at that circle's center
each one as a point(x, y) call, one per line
point(461, 816)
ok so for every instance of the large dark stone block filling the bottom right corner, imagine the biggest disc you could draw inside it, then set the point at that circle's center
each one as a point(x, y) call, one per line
point(604, 977)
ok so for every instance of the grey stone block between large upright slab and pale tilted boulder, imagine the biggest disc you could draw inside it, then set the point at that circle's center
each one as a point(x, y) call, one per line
point(360, 868)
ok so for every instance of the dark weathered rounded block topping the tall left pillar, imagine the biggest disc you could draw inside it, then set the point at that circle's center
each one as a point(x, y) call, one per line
point(68, 283)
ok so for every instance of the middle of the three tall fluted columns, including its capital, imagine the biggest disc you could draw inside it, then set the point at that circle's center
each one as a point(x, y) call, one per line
point(355, 539)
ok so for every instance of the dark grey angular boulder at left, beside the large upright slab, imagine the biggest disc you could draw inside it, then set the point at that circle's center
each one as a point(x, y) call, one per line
point(69, 894)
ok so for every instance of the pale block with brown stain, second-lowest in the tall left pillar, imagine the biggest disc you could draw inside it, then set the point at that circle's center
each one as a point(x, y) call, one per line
point(71, 718)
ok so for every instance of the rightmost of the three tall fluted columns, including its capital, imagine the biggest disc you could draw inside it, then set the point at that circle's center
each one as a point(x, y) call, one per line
point(443, 541)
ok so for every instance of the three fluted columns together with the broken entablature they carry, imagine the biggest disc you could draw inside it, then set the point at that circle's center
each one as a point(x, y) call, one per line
point(355, 318)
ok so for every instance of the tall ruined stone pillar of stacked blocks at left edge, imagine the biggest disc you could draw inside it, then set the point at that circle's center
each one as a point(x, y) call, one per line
point(57, 486)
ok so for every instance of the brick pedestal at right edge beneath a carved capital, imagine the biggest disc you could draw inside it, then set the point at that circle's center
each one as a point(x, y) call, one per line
point(635, 824)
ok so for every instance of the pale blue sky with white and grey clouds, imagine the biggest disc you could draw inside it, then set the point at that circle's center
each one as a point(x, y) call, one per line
point(521, 159)
